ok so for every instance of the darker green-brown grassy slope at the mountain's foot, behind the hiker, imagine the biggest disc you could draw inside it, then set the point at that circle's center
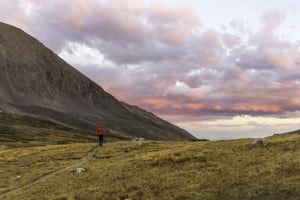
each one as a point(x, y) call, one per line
point(16, 130)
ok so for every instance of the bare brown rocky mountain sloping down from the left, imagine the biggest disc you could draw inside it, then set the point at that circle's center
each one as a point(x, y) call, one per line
point(34, 81)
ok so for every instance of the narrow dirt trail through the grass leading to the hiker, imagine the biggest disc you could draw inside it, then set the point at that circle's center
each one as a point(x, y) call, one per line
point(82, 160)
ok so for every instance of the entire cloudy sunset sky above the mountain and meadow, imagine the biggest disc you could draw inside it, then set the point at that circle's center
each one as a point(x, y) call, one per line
point(219, 69)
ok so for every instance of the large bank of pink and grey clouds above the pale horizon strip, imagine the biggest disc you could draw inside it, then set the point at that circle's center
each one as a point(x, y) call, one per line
point(221, 73)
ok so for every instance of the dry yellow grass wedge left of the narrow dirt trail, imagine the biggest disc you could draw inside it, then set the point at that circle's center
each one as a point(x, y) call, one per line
point(23, 165)
